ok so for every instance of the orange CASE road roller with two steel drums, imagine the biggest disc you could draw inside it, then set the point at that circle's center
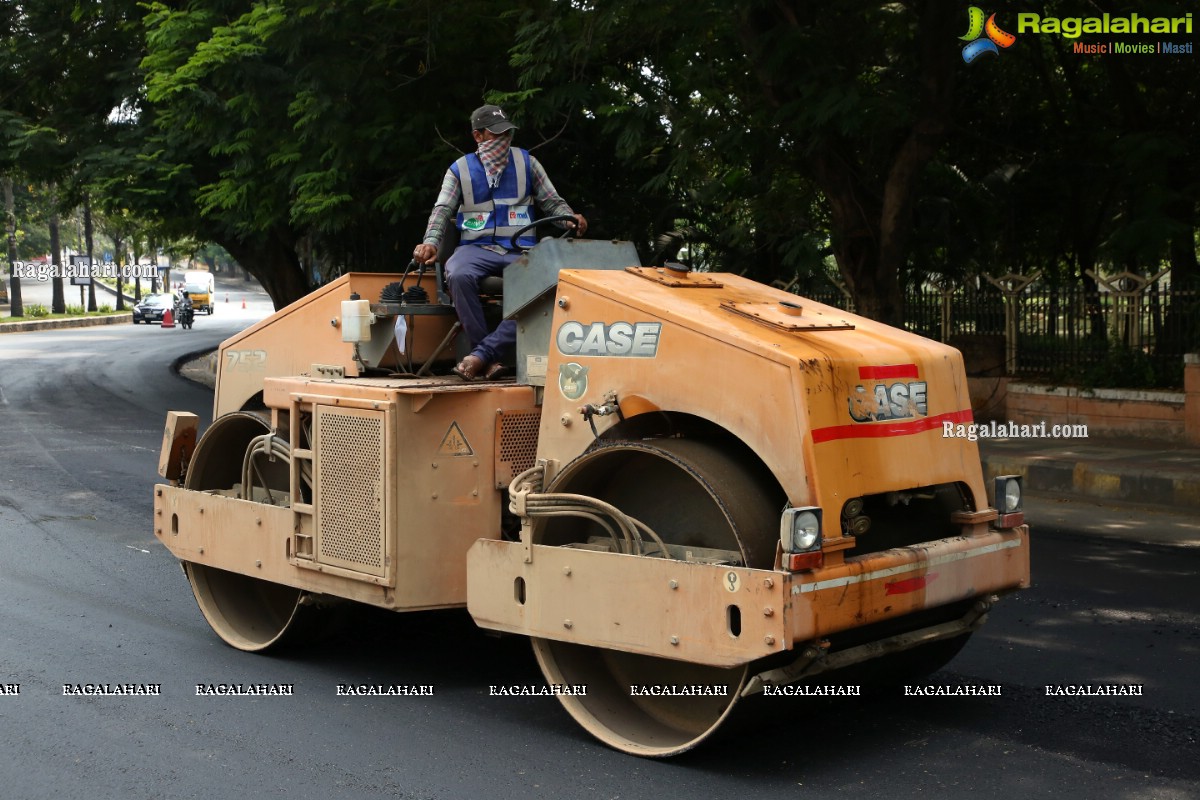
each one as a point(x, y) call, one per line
point(694, 489)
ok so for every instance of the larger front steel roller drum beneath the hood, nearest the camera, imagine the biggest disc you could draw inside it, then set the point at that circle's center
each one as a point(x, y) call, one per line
point(693, 494)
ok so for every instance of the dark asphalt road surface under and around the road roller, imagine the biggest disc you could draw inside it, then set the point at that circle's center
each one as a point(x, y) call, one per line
point(88, 597)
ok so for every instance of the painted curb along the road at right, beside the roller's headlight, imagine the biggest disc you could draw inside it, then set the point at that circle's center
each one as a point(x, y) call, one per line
point(1159, 486)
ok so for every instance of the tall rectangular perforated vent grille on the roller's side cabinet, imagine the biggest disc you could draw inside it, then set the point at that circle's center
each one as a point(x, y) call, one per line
point(350, 509)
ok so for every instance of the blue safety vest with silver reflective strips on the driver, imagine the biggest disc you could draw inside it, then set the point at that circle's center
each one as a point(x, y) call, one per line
point(490, 216)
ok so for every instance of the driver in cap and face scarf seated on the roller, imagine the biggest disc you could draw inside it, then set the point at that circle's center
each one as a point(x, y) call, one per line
point(494, 193)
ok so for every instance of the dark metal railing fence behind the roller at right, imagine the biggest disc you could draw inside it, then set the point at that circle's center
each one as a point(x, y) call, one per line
point(1135, 336)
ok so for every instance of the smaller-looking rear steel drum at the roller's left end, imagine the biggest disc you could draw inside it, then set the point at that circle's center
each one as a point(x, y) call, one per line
point(248, 613)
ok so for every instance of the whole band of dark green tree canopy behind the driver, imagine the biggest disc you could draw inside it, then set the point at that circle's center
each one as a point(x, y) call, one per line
point(778, 139)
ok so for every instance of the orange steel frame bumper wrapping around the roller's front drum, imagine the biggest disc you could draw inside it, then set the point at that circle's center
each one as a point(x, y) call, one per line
point(722, 616)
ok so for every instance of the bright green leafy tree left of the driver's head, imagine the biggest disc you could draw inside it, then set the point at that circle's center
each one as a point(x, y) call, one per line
point(280, 130)
